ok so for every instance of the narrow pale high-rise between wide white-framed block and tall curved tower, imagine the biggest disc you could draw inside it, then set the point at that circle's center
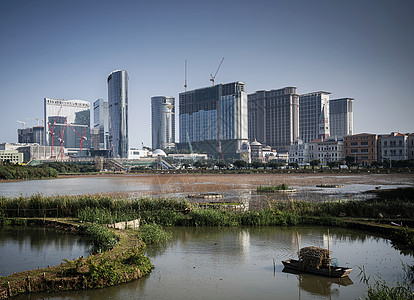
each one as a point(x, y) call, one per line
point(100, 123)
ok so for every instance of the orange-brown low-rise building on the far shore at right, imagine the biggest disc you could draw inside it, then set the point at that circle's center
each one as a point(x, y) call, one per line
point(362, 148)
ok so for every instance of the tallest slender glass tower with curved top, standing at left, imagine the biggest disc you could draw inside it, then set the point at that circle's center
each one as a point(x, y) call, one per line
point(118, 113)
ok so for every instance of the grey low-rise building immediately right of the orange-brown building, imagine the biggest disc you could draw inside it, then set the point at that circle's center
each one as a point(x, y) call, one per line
point(394, 146)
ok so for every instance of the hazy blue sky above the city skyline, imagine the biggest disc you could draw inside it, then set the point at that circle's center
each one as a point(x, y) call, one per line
point(66, 49)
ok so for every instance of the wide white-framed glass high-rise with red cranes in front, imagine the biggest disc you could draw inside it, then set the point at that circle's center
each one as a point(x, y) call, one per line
point(67, 124)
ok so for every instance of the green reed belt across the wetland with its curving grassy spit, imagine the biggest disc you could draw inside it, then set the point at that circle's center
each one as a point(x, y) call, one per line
point(120, 256)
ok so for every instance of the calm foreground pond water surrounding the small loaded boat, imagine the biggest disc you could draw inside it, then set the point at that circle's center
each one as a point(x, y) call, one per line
point(237, 263)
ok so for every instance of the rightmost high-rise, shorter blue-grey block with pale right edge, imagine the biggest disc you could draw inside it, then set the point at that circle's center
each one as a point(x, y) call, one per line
point(341, 117)
